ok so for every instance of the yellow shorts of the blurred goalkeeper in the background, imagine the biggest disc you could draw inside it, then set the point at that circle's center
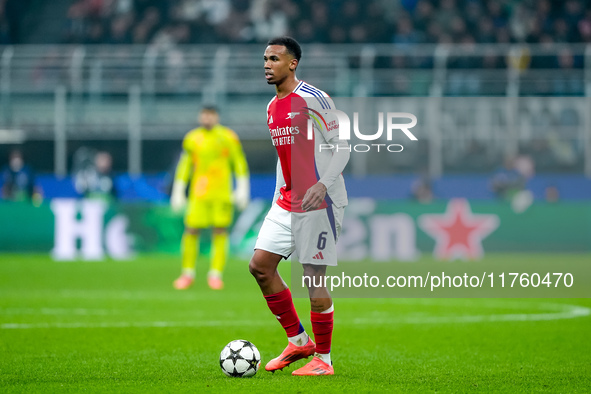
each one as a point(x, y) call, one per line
point(208, 213)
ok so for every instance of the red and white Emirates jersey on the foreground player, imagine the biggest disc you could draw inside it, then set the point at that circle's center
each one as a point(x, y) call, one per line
point(302, 162)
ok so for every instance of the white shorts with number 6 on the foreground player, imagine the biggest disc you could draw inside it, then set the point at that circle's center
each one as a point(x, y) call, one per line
point(313, 239)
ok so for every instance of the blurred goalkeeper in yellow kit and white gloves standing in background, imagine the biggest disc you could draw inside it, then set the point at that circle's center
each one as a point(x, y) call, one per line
point(211, 153)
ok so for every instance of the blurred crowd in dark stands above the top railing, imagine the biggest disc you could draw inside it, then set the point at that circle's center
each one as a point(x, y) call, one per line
point(403, 22)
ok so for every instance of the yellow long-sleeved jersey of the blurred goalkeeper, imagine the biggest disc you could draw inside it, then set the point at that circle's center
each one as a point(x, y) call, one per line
point(210, 157)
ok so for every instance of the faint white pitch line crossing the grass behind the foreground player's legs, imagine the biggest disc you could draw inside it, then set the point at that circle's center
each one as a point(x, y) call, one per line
point(567, 312)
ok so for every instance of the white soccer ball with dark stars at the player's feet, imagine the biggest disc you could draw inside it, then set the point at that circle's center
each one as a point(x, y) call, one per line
point(240, 359)
